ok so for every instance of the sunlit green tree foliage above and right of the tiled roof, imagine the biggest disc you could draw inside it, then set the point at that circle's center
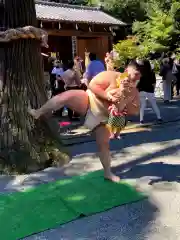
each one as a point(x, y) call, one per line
point(156, 23)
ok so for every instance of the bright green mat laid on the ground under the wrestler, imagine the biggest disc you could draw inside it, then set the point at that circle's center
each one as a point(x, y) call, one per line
point(52, 204)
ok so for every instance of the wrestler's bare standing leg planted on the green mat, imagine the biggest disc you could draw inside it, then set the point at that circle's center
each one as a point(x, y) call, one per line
point(102, 140)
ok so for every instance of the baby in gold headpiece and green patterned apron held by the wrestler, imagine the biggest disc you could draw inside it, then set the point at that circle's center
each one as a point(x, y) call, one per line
point(118, 112)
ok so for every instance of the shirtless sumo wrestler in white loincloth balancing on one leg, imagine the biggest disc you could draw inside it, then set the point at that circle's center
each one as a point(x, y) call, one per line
point(94, 104)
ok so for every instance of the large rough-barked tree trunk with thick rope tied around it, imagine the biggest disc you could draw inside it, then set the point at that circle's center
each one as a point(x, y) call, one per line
point(25, 144)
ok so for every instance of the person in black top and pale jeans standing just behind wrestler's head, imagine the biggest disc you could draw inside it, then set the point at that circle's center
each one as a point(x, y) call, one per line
point(146, 87)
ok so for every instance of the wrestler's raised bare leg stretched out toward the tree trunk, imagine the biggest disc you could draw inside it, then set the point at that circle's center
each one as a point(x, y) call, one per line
point(77, 100)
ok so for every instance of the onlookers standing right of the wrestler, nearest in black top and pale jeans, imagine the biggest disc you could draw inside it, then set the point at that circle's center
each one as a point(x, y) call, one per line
point(170, 73)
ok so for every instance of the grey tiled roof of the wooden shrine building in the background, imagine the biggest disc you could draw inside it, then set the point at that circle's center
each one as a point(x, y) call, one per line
point(51, 11)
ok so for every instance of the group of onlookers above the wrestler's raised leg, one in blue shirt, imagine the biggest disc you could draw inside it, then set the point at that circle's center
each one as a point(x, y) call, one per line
point(73, 75)
